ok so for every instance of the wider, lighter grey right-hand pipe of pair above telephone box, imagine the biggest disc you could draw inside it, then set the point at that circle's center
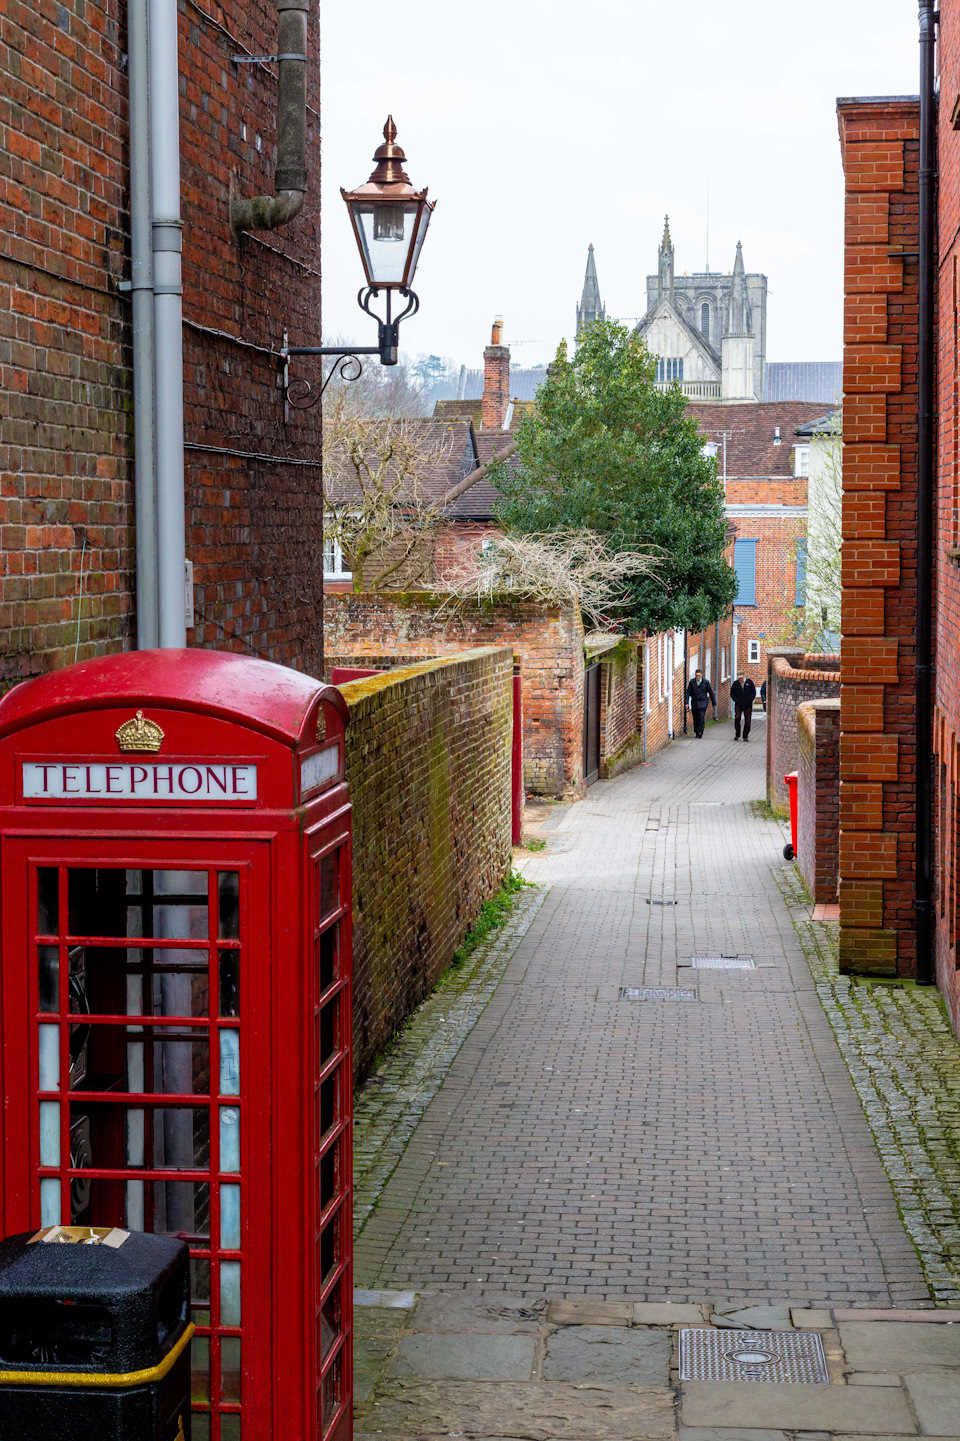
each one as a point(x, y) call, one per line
point(168, 319)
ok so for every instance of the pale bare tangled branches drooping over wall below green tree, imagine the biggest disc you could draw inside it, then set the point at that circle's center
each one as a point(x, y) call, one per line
point(557, 568)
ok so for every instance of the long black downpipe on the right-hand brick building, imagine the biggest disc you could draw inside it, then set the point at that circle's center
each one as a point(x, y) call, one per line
point(923, 903)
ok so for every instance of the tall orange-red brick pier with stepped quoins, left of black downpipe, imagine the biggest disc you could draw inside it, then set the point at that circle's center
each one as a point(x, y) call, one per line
point(880, 148)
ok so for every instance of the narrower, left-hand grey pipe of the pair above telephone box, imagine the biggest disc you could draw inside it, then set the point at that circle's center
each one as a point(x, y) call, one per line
point(142, 298)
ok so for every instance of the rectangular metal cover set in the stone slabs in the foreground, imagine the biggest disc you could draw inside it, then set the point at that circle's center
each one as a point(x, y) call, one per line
point(720, 1355)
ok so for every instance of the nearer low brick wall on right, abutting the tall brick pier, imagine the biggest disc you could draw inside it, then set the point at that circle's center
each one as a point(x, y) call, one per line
point(819, 796)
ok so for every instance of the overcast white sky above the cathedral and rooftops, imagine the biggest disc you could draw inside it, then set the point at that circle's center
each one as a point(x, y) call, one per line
point(544, 125)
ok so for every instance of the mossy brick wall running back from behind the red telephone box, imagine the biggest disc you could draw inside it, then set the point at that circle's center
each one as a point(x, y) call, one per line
point(429, 764)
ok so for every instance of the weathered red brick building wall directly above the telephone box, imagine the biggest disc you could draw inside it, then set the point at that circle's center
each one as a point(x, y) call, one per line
point(67, 446)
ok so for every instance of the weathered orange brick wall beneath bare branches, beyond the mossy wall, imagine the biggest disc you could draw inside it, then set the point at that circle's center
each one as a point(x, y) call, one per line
point(550, 643)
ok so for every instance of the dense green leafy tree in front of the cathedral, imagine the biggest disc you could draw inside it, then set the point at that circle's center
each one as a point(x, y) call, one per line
point(606, 450)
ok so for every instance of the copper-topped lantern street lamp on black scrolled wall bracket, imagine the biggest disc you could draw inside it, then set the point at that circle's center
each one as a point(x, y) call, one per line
point(390, 226)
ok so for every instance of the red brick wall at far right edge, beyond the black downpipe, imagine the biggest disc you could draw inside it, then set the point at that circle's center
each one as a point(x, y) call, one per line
point(948, 544)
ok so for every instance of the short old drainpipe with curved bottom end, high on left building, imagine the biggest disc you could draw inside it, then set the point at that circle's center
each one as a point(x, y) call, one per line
point(267, 213)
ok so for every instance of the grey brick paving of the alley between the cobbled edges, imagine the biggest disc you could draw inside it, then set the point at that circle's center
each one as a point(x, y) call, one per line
point(703, 1149)
